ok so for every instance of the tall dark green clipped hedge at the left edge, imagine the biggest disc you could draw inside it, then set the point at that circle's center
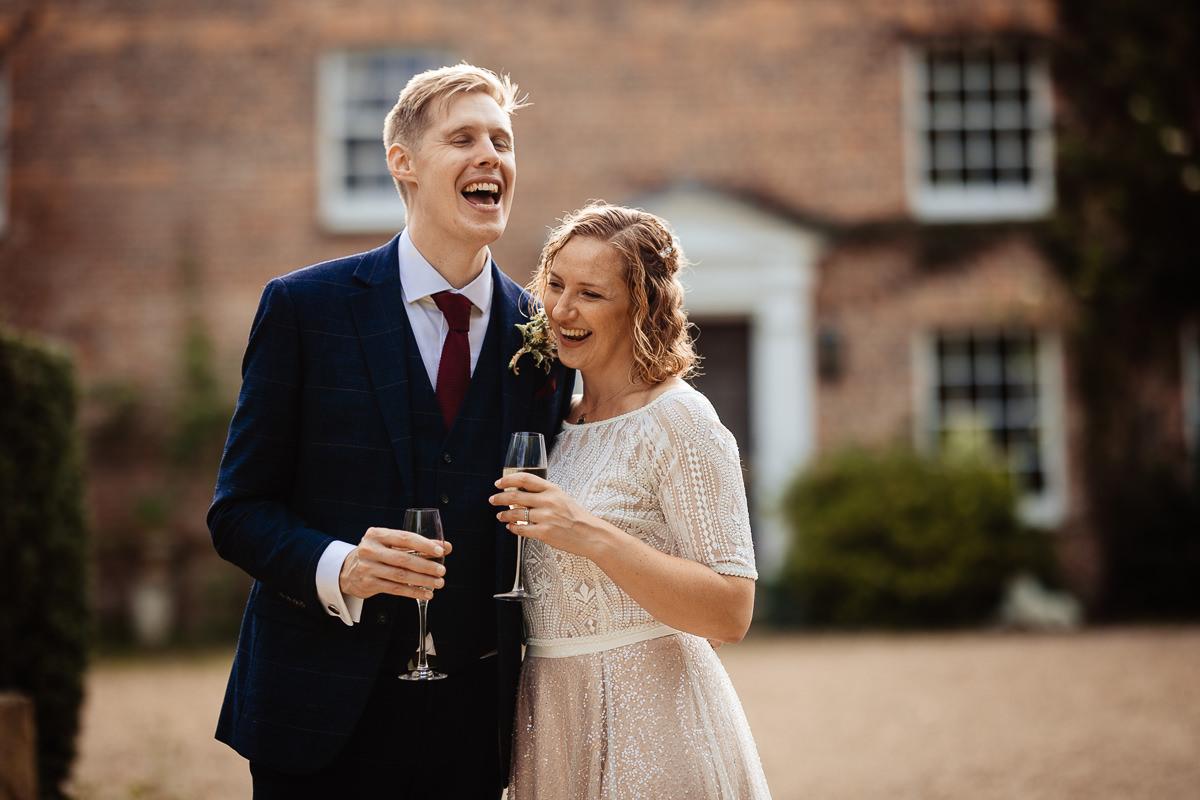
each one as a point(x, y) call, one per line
point(44, 549)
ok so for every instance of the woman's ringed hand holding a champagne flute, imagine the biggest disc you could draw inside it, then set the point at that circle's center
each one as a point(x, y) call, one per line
point(543, 512)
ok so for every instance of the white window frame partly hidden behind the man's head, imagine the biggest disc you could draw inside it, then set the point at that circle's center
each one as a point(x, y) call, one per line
point(343, 209)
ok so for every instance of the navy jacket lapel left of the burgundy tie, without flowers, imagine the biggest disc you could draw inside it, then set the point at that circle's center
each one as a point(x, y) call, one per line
point(382, 326)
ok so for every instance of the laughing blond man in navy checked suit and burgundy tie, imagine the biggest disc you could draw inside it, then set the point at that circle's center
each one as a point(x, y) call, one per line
point(371, 384)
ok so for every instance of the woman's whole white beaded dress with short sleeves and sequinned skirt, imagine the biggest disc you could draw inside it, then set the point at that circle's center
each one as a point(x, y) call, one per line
point(613, 703)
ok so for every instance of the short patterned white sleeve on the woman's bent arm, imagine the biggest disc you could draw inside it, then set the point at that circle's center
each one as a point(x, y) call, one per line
point(703, 495)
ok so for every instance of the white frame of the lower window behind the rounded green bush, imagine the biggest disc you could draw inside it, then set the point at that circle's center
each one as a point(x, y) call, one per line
point(1046, 508)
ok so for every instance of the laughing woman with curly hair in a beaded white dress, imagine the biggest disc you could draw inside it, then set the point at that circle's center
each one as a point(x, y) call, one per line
point(639, 545)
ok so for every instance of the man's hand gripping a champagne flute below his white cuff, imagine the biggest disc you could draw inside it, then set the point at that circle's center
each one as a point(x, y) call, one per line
point(391, 562)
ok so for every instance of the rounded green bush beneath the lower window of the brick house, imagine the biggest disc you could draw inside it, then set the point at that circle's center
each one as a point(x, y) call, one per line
point(897, 540)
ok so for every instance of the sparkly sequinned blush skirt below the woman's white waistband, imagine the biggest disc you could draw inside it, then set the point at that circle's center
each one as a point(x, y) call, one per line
point(658, 719)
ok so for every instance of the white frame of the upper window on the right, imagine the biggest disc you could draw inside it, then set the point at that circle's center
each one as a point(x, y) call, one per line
point(977, 203)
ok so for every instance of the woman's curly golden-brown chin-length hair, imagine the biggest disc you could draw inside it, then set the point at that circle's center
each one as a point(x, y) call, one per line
point(663, 342)
